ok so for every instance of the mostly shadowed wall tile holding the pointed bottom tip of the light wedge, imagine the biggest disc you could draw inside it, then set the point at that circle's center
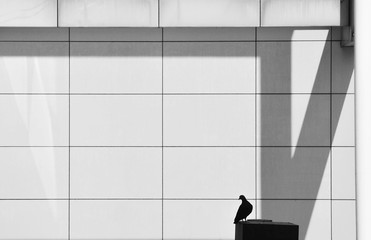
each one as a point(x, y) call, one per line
point(294, 173)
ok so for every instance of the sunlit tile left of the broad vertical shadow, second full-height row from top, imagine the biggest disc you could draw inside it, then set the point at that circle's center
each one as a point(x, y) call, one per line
point(209, 120)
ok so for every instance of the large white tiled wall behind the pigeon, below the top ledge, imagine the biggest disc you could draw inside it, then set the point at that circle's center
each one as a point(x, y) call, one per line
point(139, 133)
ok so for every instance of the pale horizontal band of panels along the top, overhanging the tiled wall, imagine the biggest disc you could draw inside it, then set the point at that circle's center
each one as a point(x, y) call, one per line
point(173, 13)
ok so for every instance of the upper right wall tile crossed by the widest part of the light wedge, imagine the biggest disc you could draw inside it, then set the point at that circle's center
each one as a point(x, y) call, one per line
point(294, 67)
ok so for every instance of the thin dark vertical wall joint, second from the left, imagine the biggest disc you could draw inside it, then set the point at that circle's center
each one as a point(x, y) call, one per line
point(162, 133)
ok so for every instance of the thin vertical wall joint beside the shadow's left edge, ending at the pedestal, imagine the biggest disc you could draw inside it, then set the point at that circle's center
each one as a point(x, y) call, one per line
point(256, 124)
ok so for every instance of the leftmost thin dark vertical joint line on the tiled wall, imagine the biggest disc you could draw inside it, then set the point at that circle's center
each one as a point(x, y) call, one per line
point(69, 133)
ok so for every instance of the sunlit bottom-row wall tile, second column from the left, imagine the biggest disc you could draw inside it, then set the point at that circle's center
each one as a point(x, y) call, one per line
point(116, 219)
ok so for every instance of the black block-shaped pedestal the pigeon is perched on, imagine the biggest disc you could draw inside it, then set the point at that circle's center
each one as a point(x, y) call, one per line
point(266, 230)
